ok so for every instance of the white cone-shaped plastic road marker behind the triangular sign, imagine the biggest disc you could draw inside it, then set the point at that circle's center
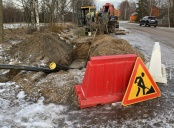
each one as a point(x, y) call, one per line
point(155, 67)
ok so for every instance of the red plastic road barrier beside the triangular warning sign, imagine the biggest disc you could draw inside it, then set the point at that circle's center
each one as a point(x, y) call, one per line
point(105, 80)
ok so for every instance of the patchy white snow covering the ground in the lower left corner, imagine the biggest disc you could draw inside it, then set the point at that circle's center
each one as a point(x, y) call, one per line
point(25, 114)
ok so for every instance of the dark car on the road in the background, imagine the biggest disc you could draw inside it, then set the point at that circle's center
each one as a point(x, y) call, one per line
point(149, 21)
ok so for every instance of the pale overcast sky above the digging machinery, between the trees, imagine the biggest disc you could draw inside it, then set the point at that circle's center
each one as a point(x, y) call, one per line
point(100, 3)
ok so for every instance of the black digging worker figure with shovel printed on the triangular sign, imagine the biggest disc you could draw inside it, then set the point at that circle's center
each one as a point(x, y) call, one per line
point(141, 85)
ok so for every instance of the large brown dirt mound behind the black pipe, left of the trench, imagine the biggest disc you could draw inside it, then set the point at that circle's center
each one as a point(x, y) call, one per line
point(42, 48)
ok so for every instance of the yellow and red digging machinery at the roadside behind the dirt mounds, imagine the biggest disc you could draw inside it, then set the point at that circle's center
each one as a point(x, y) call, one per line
point(105, 20)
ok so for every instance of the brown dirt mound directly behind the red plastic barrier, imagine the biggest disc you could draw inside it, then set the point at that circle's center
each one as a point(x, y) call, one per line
point(108, 45)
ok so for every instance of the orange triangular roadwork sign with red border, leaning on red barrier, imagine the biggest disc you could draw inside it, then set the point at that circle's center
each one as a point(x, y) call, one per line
point(141, 86)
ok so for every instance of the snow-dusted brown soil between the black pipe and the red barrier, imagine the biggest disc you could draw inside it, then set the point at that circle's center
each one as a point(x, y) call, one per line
point(55, 87)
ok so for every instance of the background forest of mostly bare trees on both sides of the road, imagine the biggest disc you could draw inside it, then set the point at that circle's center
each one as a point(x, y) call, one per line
point(56, 11)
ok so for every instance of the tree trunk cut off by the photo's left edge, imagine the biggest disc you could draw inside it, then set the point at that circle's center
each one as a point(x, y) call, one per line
point(1, 23)
